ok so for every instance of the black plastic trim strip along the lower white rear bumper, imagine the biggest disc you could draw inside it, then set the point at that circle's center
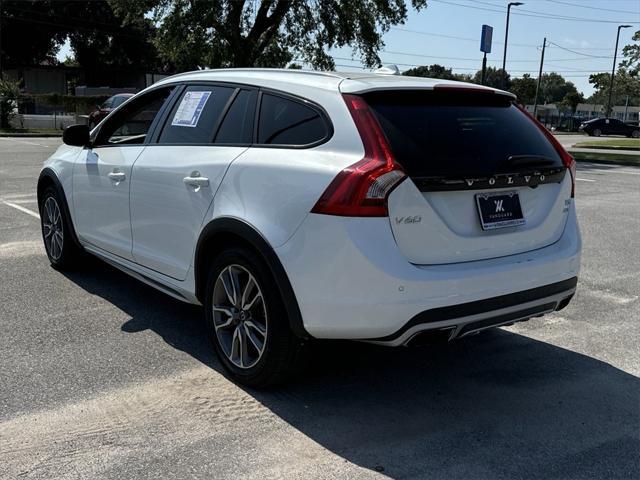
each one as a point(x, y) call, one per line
point(484, 306)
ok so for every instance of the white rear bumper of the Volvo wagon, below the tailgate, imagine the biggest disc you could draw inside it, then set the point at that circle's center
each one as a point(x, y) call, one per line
point(352, 282)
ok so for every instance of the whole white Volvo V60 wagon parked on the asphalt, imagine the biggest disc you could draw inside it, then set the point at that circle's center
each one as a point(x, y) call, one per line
point(297, 205)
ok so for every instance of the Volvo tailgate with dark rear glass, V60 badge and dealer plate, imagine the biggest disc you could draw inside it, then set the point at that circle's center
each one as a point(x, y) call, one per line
point(485, 181)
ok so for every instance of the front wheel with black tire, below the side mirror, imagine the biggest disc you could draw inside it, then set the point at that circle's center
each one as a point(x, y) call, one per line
point(63, 252)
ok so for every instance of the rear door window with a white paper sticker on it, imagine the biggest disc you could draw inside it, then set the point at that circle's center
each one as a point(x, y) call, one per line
point(195, 116)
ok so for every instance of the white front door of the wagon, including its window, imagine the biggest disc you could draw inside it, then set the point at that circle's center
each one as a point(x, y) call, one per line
point(102, 175)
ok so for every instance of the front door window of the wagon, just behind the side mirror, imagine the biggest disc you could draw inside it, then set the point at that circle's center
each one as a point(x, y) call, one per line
point(131, 124)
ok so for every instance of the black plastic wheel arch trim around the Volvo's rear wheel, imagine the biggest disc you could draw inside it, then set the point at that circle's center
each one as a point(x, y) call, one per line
point(234, 226)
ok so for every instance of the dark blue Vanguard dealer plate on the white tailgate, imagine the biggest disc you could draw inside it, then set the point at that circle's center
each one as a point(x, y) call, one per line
point(499, 210)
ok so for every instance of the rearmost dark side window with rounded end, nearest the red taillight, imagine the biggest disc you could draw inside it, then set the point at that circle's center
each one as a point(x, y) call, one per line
point(288, 122)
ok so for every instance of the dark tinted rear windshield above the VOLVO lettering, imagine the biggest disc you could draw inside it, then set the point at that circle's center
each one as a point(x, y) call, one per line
point(450, 134)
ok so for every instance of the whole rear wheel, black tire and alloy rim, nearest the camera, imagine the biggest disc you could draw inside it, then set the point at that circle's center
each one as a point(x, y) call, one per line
point(253, 339)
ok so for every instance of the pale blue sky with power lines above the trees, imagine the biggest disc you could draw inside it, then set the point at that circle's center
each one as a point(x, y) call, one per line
point(448, 32)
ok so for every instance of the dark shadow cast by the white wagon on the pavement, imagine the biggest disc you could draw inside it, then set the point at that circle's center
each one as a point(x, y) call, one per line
point(496, 405)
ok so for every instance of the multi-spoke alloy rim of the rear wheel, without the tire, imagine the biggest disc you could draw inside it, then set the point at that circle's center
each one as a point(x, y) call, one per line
point(239, 316)
